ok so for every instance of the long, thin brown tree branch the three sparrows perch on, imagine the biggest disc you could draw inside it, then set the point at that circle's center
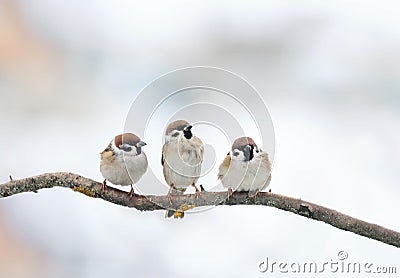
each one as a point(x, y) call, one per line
point(183, 202)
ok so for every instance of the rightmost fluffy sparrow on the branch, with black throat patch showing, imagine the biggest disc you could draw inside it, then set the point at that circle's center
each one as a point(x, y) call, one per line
point(245, 168)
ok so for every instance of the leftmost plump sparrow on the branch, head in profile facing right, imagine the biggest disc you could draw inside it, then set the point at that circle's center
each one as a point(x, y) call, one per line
point(123, 162)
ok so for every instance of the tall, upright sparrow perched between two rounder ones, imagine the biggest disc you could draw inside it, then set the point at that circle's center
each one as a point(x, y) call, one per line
point(182, 156)
